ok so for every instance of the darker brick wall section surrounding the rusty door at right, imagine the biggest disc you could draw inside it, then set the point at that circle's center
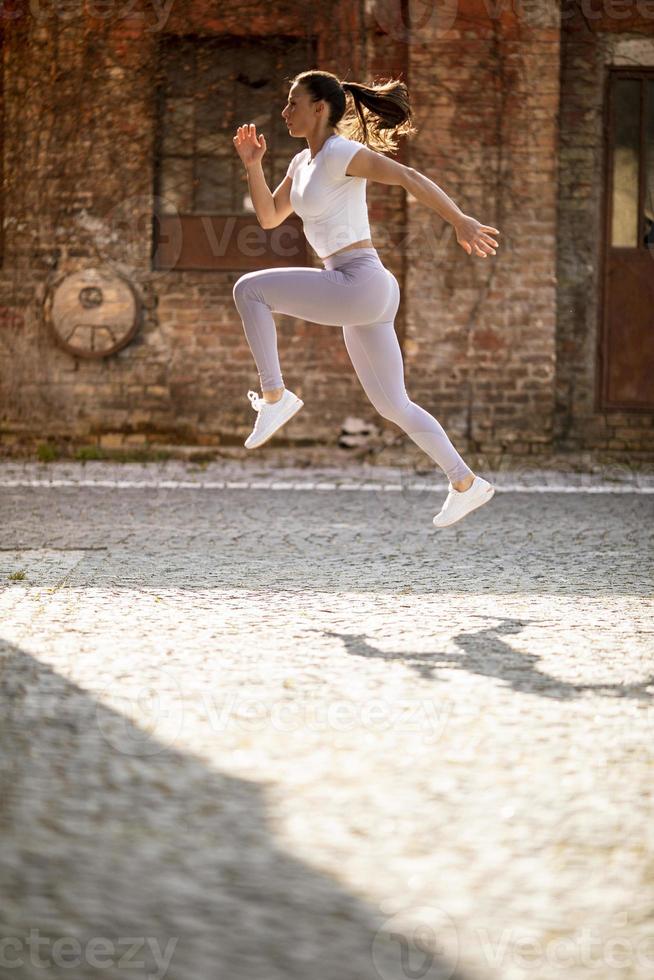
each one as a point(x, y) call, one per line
point(615, 35)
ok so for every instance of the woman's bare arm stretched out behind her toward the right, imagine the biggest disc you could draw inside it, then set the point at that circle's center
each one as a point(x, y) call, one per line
point(470, 233)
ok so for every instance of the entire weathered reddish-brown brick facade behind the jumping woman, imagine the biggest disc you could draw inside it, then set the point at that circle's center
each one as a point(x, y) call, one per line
point(500, 350)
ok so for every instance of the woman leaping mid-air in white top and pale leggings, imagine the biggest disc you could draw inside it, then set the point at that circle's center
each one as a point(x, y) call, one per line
point(325, 184)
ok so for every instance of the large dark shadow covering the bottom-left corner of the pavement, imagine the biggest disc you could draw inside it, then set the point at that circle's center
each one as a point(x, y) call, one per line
point(111, 836)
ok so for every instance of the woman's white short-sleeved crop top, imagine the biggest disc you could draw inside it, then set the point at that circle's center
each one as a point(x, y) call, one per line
point(332, 205)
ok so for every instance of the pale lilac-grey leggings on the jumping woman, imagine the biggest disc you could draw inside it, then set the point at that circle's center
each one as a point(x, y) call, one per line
point(357, 292)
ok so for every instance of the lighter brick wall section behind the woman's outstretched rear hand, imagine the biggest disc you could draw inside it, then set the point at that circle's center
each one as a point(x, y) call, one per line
point(481, 332)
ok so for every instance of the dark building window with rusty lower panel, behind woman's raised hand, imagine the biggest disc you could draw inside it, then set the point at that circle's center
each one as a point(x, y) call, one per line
point(207, 87)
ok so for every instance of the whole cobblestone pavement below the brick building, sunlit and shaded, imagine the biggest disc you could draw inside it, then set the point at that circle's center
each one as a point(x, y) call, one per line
point(274, 724)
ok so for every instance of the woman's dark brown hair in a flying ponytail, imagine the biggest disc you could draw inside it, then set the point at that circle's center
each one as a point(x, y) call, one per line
point(377, 115)
